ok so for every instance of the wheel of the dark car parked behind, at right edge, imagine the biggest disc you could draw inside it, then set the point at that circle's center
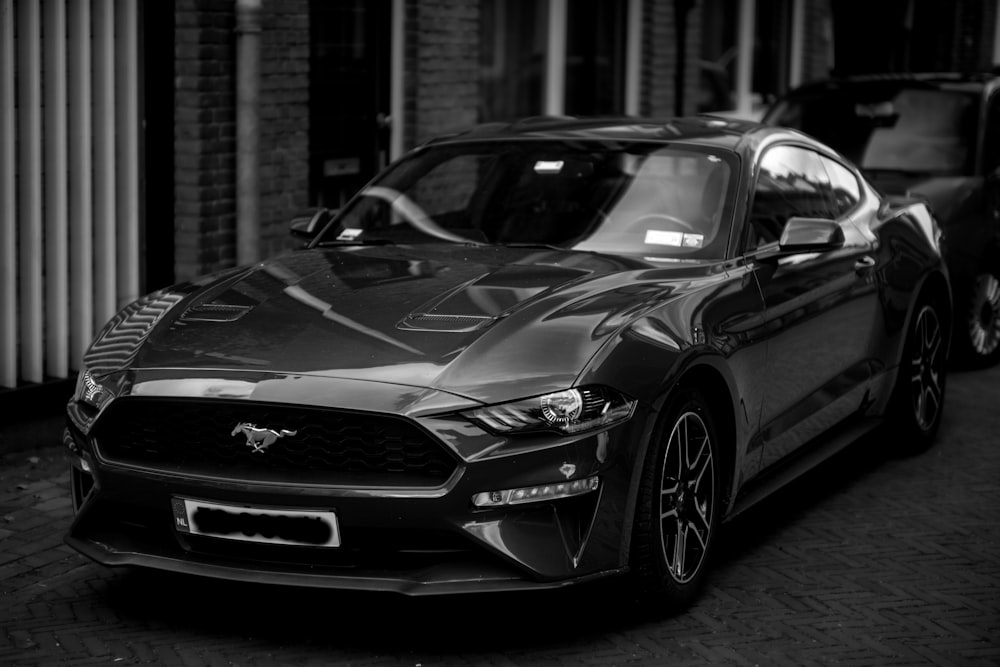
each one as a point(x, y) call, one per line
point(977, 322)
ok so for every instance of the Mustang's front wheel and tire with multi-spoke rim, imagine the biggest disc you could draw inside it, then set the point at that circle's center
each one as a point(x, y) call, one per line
point(674, 531)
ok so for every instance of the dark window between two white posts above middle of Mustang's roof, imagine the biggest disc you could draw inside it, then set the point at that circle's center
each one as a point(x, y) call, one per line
point(595, 57)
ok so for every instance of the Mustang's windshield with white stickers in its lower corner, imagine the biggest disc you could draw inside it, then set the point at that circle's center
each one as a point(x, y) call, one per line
point(650, 199)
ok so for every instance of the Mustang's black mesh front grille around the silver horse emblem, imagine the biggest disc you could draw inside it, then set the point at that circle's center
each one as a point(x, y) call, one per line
point(334, 447)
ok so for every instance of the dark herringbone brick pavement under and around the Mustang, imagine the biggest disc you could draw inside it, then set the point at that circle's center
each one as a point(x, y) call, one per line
point(870, 560)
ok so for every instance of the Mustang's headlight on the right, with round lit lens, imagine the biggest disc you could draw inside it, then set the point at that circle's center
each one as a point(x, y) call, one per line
point(569, 411)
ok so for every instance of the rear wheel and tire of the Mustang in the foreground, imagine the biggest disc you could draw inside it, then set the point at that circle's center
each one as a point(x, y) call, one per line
point(918, 399)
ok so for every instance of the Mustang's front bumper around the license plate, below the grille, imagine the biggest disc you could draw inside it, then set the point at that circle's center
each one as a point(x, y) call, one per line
point(415, 541)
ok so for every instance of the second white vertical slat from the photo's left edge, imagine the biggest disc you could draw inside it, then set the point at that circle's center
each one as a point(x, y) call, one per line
point(29, 213)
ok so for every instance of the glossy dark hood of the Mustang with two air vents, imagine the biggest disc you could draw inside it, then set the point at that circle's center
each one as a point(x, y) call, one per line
point(485, 323)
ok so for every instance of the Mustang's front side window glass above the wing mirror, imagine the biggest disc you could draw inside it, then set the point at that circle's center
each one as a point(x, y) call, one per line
point(791, 182)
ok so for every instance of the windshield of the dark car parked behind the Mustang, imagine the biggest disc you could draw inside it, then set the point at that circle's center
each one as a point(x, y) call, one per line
point(888, 127)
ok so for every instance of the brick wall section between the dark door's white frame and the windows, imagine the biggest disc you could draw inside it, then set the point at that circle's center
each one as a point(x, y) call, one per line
point(441, 67)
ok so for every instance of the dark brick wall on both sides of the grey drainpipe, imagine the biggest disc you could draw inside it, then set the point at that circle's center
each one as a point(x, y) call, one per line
point(205, 129)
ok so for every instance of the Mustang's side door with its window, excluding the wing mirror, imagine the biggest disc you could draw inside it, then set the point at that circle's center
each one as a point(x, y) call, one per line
point(820, 308)
